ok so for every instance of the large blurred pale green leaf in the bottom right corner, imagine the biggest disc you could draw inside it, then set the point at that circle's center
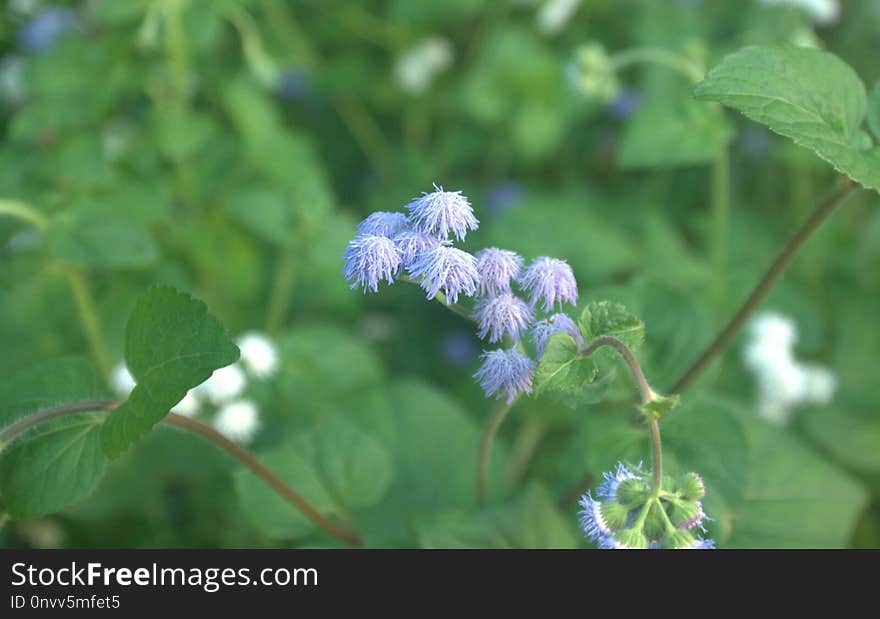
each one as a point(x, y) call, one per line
point(794, 498)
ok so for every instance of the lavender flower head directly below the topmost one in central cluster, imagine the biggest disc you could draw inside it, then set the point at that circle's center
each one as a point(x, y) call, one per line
point(453, 270)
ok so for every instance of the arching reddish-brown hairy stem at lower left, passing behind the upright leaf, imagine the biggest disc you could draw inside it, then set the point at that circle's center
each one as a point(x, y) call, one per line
point(196, 427)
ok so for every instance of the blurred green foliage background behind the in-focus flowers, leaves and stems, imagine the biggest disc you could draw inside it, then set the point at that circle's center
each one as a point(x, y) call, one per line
point(230, 147)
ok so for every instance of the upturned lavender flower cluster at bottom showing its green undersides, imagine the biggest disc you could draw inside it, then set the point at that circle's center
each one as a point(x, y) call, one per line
point(626, 514)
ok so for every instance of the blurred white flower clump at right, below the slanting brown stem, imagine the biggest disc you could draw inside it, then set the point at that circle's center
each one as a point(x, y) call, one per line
point(784, 382)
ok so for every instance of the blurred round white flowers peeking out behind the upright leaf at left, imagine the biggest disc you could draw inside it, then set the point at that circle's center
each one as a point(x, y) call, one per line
point(236, 417)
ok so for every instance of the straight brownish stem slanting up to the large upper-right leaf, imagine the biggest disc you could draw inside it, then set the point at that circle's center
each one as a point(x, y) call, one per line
point(777, 268)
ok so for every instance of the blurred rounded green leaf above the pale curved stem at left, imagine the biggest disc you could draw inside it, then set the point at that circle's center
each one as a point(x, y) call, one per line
point(97, 238)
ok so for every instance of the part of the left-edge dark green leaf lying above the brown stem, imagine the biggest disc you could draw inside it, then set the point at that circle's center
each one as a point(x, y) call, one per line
point(47, 385)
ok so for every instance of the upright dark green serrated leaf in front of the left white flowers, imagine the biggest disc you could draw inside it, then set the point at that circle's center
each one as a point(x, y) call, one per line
point(172, 344)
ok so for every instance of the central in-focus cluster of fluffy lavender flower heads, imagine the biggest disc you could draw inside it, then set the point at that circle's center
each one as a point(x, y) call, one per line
point(419, 243)
